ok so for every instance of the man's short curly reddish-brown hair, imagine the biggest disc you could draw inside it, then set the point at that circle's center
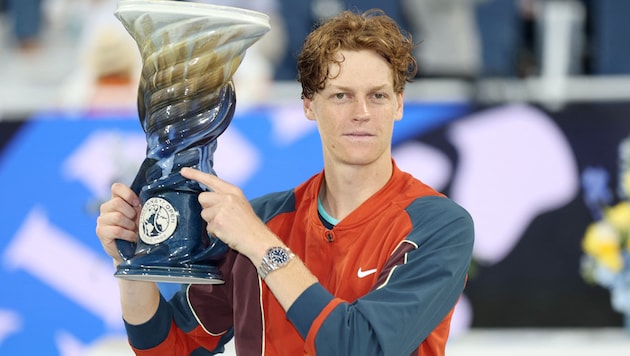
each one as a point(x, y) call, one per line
point(372, 30)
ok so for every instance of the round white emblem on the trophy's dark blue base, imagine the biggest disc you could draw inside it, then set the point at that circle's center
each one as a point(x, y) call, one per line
point(158, 220)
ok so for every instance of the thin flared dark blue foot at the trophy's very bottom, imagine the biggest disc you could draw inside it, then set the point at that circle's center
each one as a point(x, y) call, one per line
point(181, 275)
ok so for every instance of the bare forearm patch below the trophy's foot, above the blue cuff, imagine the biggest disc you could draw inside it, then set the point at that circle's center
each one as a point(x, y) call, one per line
point(139, 300)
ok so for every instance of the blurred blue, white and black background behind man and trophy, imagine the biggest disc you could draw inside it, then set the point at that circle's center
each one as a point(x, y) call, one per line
point(520, 112)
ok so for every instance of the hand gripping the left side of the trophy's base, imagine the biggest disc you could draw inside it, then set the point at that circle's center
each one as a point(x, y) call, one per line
point(118, 219)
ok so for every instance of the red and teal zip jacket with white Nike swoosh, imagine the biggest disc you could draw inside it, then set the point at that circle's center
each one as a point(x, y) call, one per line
point(390, 274)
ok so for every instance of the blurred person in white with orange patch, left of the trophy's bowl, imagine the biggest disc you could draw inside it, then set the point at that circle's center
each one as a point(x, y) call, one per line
point(105, 81)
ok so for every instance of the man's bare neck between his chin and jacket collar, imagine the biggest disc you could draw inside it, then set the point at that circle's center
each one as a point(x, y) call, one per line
point(346, 187)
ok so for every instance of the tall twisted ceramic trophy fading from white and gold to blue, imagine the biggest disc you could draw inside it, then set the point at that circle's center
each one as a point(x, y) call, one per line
point(186, 99)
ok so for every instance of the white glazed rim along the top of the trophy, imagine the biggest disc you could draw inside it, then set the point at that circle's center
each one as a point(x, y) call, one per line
point(193, 8)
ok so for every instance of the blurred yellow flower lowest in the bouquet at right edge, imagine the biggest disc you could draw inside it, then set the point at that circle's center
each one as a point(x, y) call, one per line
point(602, 242)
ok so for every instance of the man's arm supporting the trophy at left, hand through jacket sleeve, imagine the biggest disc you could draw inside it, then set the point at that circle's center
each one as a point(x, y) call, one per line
point(154, 326)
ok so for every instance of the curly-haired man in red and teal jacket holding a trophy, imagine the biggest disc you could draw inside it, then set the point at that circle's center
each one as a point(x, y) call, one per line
point(361, 259)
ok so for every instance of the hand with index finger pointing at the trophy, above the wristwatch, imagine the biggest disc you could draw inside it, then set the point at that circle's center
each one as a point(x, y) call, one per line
point(229, 216)
